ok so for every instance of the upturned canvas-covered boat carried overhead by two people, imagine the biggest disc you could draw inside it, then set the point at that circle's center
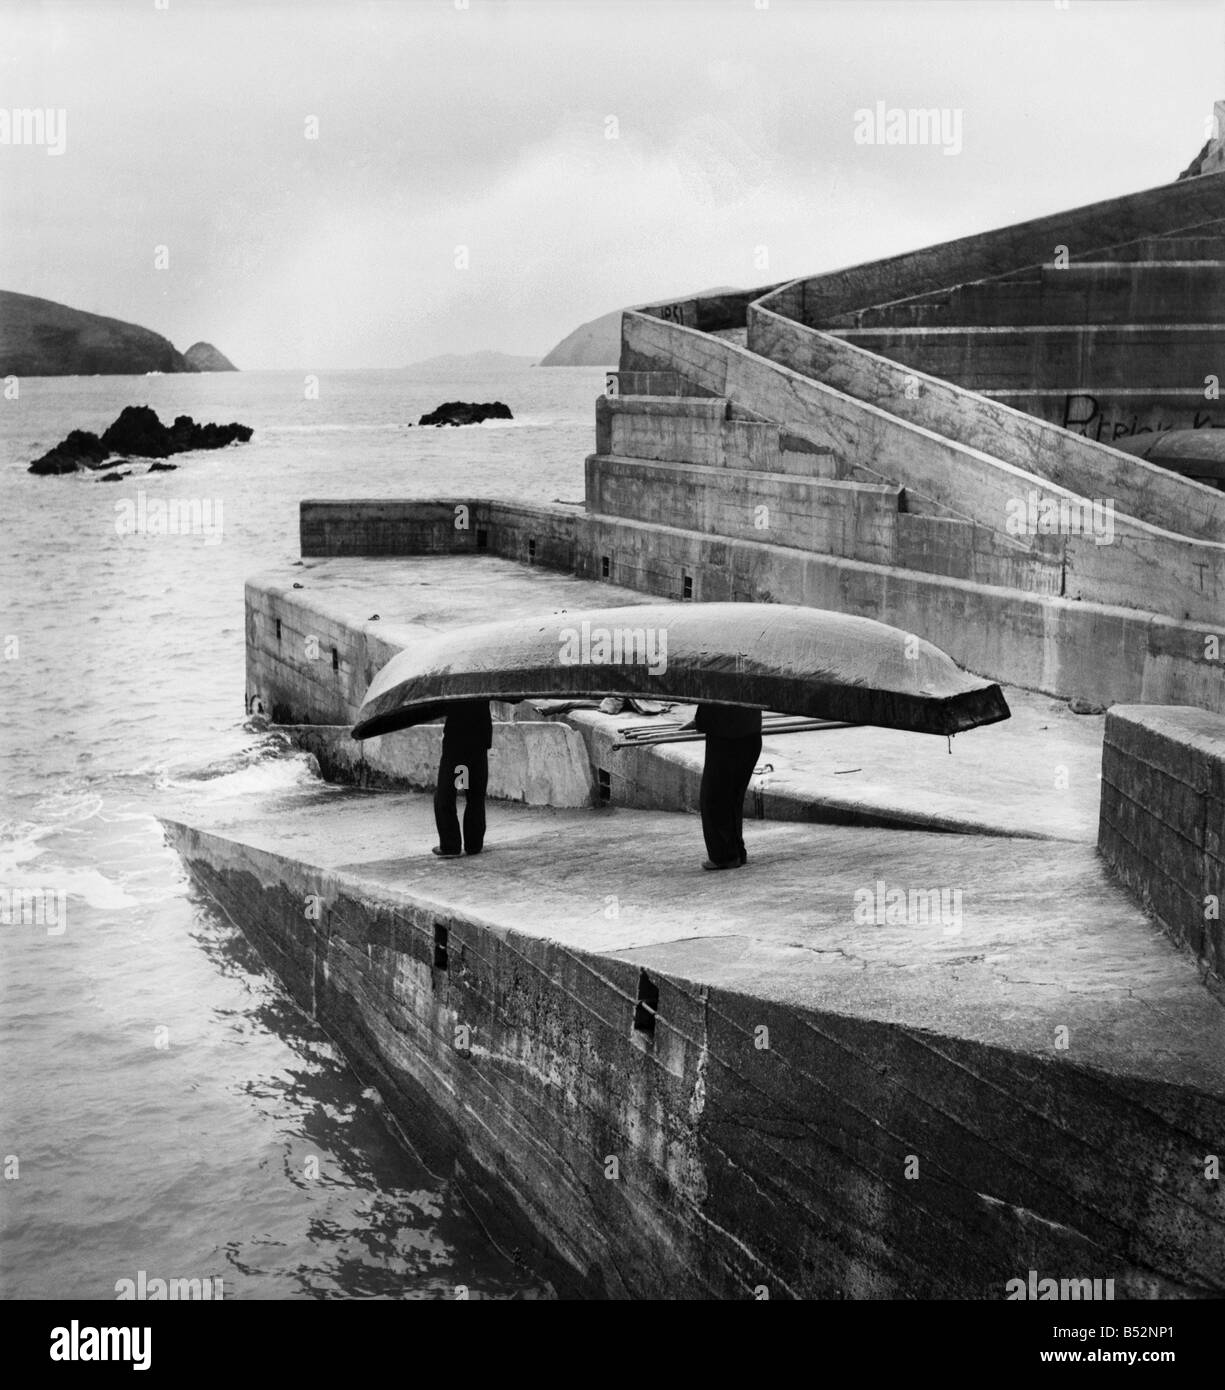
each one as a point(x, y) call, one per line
point(771, 657)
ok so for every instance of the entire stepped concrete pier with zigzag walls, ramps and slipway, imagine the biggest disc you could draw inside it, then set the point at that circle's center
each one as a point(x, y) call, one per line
point(959, 1018)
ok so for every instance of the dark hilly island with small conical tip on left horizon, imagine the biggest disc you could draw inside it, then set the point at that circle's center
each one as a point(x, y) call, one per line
point(41, 338)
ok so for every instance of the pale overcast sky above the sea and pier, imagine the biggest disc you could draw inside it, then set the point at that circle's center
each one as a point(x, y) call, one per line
point(487, 127)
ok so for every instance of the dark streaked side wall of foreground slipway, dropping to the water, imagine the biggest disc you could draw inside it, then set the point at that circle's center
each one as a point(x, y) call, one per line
point(515, 1064)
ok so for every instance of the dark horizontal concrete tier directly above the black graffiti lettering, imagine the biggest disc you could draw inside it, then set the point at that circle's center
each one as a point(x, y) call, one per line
point(1073, 358)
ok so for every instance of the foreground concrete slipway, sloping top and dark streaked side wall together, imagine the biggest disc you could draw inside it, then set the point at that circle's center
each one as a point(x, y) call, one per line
point(1050, 1079)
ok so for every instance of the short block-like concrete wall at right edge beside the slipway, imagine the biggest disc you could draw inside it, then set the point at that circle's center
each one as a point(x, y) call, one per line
point(1163, 821)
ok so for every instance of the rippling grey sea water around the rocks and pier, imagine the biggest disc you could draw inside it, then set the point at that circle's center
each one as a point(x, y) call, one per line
point(165, 1109)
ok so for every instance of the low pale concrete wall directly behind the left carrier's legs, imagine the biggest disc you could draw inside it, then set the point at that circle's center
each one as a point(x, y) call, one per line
point(535, 762)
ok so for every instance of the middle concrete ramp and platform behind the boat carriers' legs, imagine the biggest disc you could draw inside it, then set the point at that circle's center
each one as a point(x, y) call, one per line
point(1034, 775)
